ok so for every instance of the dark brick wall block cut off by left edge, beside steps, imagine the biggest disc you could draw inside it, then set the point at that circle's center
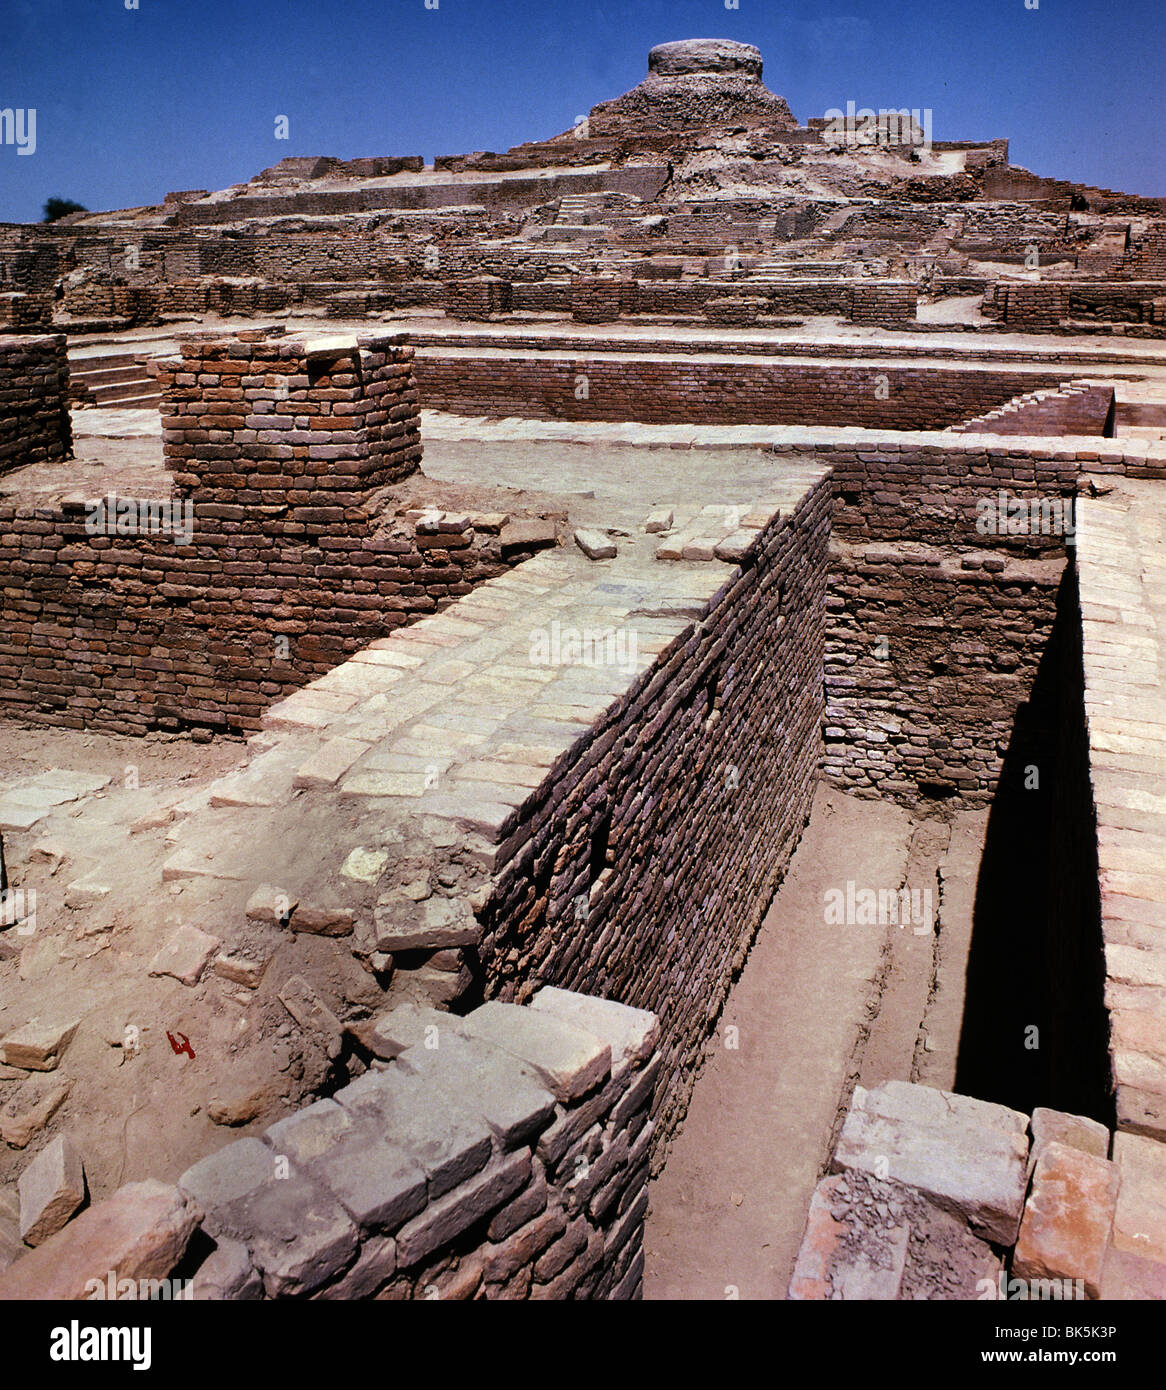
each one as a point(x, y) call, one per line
point(34, 394)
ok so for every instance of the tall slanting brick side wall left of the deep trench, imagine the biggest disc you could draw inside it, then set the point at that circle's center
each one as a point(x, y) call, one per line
point(675, 822)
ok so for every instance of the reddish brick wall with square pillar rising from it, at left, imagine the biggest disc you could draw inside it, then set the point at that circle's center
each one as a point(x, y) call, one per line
point(280, 452)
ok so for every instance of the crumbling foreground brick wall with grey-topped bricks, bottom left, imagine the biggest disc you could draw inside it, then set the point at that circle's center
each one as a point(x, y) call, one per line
point(502, 1156)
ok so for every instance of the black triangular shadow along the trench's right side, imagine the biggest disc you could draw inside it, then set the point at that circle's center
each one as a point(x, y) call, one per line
point(1037, 961)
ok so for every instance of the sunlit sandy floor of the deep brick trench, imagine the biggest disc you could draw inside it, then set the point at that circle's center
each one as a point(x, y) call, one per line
point(818, 1008)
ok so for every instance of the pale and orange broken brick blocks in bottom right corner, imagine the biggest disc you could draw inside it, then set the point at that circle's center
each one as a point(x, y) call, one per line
point(940, 1196)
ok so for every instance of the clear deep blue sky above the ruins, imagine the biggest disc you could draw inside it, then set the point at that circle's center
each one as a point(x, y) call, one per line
point(186, 94)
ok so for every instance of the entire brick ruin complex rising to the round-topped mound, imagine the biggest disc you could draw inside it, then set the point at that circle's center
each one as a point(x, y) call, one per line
point(587, 722)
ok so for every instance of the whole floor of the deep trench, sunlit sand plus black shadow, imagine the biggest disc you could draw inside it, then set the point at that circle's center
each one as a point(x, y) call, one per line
point(1004, 1000)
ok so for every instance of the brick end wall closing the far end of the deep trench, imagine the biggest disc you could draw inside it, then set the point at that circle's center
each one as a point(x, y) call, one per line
point(937, 618)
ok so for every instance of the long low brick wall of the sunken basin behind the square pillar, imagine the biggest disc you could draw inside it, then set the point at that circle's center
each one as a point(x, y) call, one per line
point(694, 391)
